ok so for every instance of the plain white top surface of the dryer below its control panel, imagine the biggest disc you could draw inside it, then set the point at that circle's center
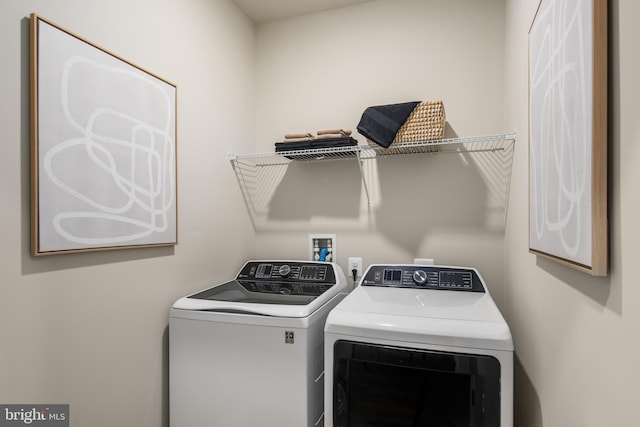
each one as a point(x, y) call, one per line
point(423, 316)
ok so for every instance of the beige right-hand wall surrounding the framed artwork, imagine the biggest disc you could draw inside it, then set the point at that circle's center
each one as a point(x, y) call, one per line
point(576, 336)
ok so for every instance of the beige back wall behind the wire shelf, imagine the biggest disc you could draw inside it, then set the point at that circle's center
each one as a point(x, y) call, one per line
point(323, 70)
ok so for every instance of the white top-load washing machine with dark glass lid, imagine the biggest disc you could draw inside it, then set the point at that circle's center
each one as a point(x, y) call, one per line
point(249, 352)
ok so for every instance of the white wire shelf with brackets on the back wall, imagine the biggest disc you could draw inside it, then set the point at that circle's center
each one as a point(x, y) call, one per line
point(251, 177)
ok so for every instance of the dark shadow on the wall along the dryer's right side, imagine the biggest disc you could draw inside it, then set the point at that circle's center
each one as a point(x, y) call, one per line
point(527, 409)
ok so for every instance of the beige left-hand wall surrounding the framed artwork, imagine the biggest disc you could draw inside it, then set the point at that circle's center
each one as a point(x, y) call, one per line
point(90, 330)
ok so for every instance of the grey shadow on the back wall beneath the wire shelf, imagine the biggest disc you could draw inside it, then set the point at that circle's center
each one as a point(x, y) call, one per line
point(414, 194)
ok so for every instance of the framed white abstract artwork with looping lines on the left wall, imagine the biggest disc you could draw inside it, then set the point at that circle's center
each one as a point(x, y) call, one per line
point(106, 160)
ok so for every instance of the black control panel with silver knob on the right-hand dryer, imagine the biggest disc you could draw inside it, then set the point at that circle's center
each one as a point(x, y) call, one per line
point(424, 277)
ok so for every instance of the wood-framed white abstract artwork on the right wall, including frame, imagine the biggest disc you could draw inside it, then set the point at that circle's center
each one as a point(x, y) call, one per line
point(568, 134)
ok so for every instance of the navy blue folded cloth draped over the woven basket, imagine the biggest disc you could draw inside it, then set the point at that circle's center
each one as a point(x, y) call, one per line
point(381, 123)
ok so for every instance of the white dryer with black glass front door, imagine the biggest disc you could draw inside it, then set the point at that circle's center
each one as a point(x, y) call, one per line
point(418, 346)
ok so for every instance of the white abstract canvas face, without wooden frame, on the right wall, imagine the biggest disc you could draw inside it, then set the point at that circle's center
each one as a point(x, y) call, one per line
point(560, 90)
